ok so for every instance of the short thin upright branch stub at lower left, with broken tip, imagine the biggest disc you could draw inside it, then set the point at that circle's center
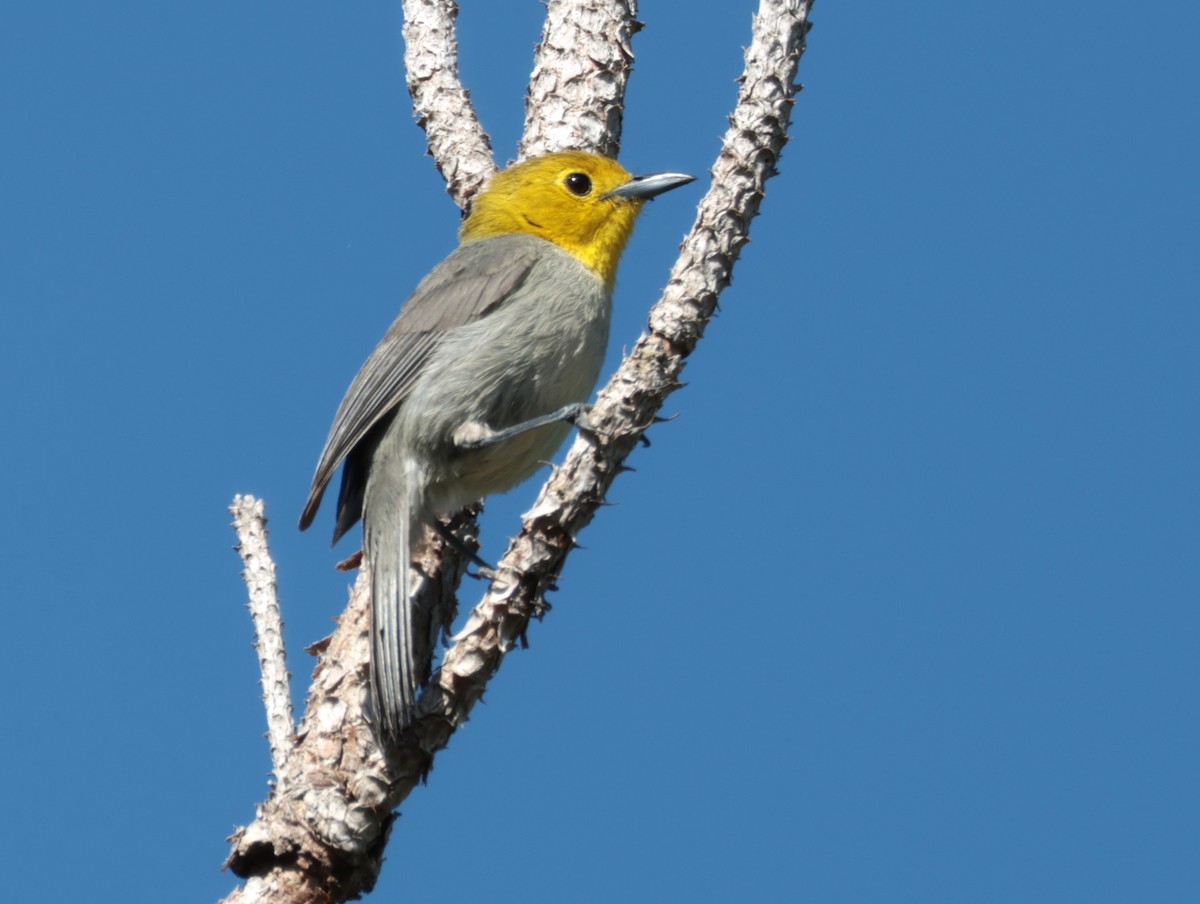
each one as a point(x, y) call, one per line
point(250, 522)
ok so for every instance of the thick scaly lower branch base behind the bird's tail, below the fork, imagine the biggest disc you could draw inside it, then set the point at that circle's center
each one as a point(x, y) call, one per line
point(322, 834)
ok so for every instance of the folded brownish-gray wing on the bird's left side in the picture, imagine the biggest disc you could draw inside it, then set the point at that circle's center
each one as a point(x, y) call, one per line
point(472, 283)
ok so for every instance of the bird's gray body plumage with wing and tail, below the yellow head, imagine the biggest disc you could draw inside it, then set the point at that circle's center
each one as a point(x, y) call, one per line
point(477, 348)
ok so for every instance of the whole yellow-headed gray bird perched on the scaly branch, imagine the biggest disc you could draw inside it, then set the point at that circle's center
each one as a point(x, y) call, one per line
point(477, 382)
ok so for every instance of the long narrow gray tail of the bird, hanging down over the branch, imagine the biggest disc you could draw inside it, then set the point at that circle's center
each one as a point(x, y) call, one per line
point(401, 650)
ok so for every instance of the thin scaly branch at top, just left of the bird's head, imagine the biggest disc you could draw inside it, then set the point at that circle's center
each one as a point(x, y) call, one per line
point(461, 149)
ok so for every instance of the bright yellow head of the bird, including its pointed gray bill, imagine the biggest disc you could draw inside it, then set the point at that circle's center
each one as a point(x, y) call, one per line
point(583, 202)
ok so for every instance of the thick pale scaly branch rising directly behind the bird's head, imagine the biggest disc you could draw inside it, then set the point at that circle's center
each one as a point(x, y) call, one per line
point(578, 87)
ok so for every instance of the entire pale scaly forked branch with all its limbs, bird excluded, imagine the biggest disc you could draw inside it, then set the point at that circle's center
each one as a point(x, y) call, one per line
point(321, 835)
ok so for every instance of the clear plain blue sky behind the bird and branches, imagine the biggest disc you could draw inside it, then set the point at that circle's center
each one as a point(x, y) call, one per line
point(902, 608)
